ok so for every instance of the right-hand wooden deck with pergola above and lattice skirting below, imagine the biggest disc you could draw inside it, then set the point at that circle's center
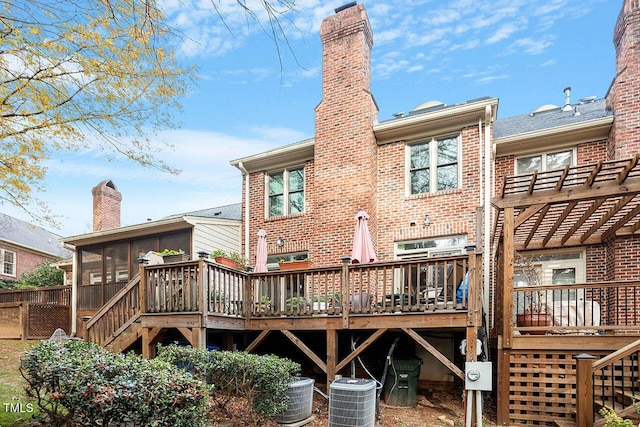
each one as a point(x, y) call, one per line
point(540, 380)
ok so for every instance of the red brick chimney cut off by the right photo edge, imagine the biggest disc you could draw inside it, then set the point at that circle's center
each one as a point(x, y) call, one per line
point(625, 90)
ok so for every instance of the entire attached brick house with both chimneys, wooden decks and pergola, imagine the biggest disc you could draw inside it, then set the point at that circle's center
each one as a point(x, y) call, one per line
point(452, 193)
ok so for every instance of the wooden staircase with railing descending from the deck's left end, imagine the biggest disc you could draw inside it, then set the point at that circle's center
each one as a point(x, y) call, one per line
point(116, 325)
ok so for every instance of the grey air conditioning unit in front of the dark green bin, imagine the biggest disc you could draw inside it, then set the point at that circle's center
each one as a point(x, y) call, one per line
point(352, 402)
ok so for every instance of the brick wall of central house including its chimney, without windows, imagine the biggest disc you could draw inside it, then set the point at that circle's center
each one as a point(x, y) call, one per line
point(350, 172)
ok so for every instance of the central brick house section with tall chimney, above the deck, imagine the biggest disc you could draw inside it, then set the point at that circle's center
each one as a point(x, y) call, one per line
point(420, 177)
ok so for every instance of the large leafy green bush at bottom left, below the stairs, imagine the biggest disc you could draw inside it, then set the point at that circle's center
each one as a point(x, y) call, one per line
point(79, 383)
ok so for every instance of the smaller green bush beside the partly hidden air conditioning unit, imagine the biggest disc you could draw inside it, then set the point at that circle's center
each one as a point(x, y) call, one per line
point(261, 380)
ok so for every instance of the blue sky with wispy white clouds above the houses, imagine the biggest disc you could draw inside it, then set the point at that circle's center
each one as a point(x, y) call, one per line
point(249, 99)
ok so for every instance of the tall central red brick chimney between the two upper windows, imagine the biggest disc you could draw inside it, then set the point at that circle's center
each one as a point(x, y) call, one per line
point(345, 145)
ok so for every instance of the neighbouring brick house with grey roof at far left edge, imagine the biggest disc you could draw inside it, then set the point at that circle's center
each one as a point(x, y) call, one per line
point(24, 246)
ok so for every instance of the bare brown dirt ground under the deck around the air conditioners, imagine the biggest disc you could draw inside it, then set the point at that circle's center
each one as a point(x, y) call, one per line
point(434, 408)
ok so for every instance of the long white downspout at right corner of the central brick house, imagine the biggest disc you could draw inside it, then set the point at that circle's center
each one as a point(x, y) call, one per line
point(488, 189)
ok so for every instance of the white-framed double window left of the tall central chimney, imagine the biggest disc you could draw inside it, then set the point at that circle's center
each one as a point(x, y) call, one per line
point(285, 192)
